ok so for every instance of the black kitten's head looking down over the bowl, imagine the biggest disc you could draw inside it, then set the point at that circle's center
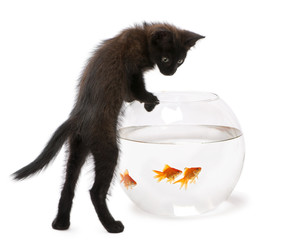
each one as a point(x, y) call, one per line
point(169, 47)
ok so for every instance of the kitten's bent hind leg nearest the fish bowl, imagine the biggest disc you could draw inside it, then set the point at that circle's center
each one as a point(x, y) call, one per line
point(105, 155)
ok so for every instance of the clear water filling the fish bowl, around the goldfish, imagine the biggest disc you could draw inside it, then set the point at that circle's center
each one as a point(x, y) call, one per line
point(216, 150)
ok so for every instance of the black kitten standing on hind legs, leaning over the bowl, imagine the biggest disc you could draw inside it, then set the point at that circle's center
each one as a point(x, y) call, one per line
point(113, 74)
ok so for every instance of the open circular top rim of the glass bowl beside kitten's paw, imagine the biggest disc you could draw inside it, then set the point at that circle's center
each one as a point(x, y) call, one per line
point(186, 96)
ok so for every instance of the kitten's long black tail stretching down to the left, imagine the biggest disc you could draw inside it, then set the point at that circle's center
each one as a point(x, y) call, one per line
point(49, 152)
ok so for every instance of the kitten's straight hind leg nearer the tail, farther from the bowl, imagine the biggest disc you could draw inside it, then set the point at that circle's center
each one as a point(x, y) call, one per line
point(77, 155)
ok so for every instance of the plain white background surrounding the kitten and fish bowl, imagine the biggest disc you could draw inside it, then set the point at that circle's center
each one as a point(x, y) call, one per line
point(44, 46)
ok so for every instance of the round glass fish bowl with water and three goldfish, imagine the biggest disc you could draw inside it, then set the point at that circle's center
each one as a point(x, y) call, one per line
point(183, 158)
